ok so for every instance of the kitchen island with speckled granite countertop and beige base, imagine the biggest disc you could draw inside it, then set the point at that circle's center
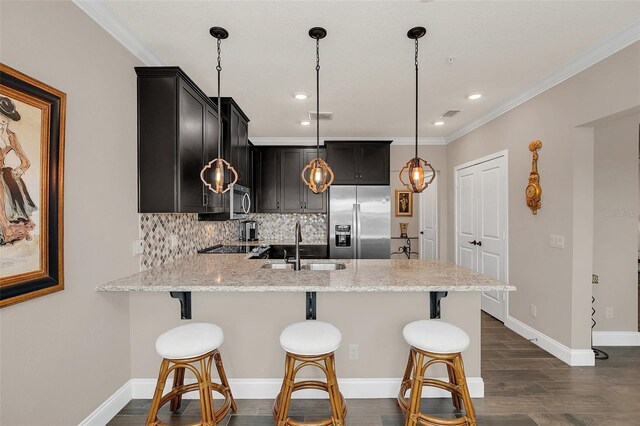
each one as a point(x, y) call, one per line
point(369, 301)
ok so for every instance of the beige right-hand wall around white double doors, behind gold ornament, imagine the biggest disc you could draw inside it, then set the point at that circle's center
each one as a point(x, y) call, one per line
point(544, 275)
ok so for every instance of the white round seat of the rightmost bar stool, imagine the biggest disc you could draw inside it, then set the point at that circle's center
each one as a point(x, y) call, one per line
point(436, 336)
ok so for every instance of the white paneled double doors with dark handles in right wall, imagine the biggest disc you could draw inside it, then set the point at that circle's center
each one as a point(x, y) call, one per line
point(482, 224)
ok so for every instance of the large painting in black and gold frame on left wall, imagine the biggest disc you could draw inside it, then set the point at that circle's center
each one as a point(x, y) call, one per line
point(32, 119)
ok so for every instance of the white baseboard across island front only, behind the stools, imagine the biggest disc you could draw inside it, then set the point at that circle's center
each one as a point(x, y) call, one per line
point(350, 388)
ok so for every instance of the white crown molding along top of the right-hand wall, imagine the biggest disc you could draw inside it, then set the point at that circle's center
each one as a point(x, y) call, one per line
point(594, 55)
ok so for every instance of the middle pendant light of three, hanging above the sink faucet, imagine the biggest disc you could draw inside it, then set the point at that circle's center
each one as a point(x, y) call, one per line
point(319, 173)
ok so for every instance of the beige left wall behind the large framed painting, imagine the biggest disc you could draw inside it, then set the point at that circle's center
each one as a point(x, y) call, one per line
point(64, 354)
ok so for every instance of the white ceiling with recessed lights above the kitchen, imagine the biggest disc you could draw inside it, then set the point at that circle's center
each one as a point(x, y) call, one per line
point(499, 48)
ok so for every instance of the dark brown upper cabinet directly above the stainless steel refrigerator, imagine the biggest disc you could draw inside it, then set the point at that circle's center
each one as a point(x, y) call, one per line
point(359, 163)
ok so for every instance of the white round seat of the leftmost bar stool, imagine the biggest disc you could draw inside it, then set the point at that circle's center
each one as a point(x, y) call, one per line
point(188, 341)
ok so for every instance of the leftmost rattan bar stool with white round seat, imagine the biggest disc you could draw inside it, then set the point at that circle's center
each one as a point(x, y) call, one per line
point(180, 347)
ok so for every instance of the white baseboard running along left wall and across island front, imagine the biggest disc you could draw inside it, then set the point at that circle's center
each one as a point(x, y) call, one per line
point(267, 389)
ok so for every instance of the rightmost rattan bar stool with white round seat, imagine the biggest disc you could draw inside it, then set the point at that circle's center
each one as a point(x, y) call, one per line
point(442, 343)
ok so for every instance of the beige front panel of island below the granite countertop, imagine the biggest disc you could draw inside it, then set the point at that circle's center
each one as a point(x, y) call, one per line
point(252, 323)
